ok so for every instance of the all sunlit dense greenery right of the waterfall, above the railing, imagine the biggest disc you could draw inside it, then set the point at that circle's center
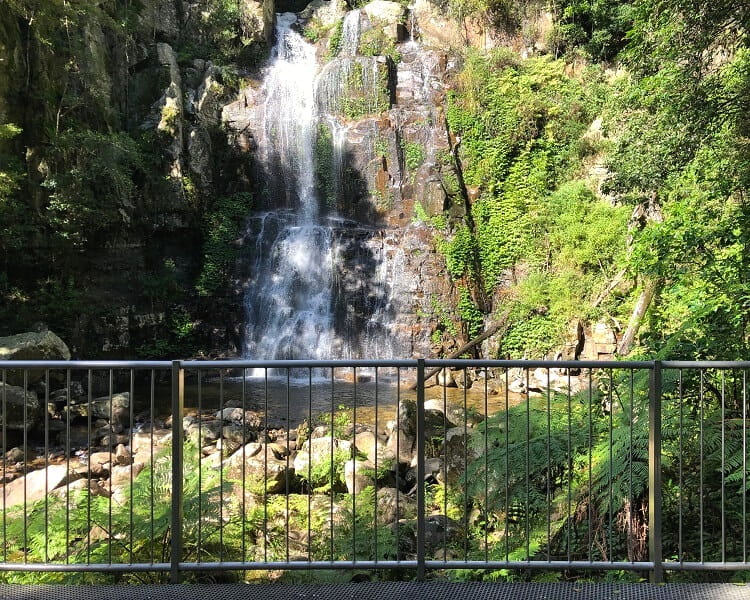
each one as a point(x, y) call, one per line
point(668, 238)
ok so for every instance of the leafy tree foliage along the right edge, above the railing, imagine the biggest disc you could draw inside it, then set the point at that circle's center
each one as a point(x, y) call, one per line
point(681, 155)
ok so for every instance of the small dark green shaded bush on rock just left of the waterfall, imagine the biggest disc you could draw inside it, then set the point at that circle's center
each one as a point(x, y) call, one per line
point(222, 226)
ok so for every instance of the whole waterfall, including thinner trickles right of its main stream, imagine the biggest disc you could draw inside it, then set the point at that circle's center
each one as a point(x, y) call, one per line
point(319, 286)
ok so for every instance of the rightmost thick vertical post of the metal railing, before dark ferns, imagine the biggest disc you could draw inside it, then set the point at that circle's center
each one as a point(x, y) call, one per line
point(654, 474)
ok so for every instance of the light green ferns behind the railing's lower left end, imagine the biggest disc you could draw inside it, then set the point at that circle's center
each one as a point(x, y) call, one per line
point(100, 530)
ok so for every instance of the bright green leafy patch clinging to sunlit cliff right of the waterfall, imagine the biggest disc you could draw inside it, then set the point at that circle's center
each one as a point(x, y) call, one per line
point(519, 125)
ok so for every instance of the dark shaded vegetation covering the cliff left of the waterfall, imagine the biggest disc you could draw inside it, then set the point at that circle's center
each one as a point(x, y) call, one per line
point(87, 167)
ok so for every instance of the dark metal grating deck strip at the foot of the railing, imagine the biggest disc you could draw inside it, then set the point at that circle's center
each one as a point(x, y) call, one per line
point(383, 591)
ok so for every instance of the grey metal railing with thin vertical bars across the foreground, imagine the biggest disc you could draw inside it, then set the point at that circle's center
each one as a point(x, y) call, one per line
point(189, 466)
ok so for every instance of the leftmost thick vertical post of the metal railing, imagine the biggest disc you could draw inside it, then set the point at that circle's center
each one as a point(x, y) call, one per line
point(178, 405)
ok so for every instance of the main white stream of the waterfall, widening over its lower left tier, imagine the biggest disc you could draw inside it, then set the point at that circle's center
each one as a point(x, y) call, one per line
point(288, 302)
